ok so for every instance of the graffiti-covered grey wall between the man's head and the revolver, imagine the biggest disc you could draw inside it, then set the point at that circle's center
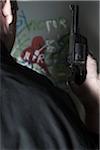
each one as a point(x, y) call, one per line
point(42, 38)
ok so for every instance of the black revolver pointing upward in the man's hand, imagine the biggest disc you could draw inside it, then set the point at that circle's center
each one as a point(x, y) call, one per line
point(78, 49)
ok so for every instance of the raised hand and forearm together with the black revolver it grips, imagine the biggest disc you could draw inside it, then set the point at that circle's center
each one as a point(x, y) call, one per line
point(84, 69)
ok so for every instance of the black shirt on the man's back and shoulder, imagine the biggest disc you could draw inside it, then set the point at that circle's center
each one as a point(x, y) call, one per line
point(36, 115)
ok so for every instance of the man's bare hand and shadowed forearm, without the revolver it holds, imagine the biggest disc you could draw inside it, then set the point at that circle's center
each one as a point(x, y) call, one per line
point(89, 95)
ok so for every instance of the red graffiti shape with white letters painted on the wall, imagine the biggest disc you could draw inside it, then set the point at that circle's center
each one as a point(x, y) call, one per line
point(34, 54)
